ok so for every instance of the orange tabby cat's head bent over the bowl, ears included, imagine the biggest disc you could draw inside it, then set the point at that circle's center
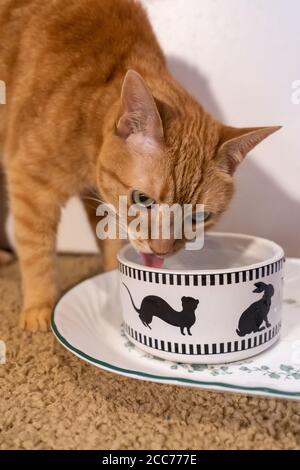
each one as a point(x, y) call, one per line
point(165, 149)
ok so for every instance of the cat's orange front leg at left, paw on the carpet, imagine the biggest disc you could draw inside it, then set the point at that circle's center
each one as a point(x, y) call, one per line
point(36, 211)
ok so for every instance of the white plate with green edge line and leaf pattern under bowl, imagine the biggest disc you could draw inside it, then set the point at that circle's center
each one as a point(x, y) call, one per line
point(87, 321)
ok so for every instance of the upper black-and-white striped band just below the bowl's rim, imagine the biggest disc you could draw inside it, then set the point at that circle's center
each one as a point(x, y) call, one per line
point(201, 279)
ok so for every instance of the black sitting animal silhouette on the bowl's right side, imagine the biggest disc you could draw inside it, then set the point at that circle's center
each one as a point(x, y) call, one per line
point(252, 318)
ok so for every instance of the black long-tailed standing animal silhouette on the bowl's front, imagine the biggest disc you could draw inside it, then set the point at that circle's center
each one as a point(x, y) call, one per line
point(154, 306)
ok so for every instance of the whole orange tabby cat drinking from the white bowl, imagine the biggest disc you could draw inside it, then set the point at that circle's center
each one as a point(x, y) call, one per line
point(92, 106)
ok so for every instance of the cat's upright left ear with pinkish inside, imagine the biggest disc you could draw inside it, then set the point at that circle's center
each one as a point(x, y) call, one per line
point(138, 114)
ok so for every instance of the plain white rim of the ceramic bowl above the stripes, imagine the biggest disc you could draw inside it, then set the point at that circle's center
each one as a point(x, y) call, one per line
point(279, 254)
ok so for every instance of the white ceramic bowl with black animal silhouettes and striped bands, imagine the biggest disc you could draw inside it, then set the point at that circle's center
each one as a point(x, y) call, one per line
point(220, 304)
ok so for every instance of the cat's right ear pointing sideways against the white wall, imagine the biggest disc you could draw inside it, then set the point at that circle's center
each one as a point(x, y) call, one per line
point(235, 143)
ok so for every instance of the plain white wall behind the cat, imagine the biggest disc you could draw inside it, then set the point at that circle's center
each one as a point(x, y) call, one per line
point(239, 58)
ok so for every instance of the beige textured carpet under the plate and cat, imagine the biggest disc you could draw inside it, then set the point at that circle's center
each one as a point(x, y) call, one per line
point(49, 399)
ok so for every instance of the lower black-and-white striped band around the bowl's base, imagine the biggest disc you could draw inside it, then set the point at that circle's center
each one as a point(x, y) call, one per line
point(205, 349)
